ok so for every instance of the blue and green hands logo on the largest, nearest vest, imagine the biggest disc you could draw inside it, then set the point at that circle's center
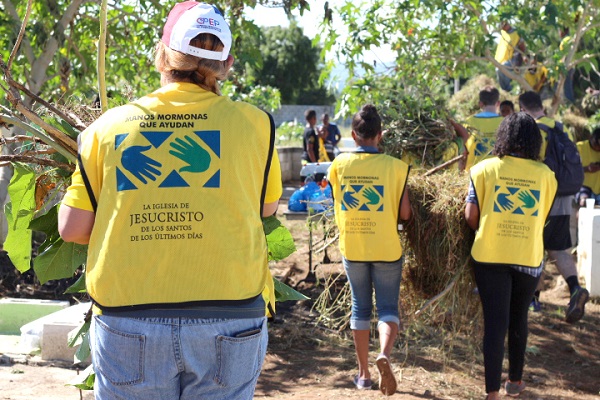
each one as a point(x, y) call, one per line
point(198, 153)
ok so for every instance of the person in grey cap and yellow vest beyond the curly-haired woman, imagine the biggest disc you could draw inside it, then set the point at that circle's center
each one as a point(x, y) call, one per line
point(479, 139)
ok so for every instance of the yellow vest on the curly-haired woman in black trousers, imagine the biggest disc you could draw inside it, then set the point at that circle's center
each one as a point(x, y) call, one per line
point(515, 196)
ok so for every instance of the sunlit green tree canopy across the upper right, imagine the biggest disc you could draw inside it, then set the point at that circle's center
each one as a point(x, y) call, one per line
point(436, 41)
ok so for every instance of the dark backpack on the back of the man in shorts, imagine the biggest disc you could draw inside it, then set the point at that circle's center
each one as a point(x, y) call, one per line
point(563, 158)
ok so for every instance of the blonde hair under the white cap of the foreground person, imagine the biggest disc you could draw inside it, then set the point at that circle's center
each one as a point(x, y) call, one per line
point(180, 67)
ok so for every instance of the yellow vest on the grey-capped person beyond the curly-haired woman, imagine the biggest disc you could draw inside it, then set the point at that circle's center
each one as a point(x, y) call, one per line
point(479, 145)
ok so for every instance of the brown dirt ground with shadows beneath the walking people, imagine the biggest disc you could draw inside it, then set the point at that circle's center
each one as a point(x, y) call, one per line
point(308, 361)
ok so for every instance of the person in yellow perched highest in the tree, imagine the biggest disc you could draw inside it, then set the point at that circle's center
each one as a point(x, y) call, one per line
point(509, 53)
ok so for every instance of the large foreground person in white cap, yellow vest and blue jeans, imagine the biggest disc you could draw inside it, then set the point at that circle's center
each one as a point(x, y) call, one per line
point(169, 194)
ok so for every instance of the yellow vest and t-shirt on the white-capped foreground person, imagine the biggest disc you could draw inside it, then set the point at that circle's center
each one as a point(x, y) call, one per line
point(178, 176)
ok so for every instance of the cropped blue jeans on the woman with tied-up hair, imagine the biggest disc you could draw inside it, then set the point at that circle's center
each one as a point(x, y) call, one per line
point(385, 278)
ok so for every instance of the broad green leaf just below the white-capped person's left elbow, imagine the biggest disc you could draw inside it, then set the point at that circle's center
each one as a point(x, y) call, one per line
point(59, 260)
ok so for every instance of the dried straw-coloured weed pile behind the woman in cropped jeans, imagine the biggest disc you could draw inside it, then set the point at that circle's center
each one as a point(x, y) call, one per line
point(437, 293)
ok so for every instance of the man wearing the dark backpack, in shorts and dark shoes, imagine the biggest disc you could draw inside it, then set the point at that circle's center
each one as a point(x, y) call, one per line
point(557, 235)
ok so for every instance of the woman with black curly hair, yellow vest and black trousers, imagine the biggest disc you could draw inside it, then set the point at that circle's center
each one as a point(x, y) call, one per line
point(509, 199)
